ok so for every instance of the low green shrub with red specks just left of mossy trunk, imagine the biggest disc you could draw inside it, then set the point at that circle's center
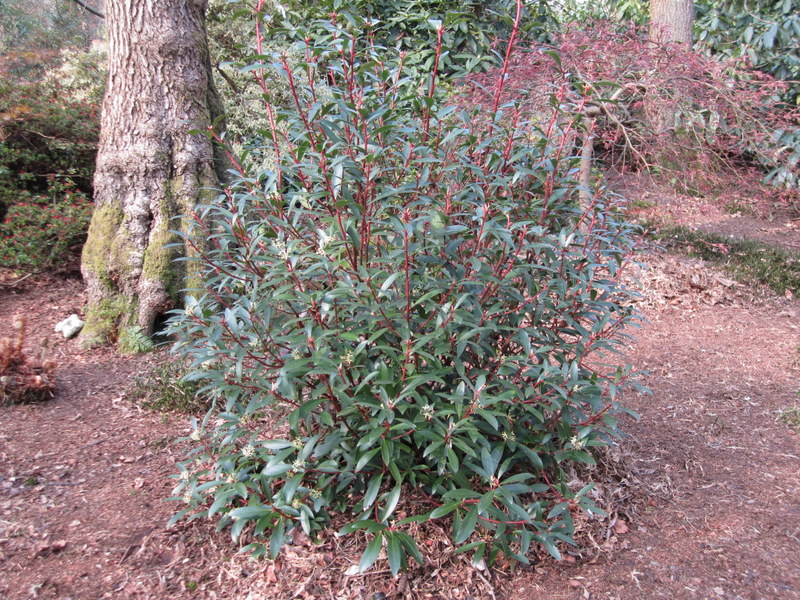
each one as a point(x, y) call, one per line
point(39, 231)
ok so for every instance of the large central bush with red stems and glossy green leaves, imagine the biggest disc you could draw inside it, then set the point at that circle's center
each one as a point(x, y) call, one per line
point(408, 318)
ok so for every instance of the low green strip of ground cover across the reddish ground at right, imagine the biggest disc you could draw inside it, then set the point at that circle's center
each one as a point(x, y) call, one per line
point(749, 261)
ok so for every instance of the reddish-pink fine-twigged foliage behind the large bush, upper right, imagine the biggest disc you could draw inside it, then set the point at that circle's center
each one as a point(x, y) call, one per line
point(662, 105)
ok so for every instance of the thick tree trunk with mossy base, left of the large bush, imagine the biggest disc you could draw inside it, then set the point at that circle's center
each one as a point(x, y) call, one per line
point(150, 168)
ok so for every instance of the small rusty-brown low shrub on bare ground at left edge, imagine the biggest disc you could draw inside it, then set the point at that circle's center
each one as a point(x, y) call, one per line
point(22, 378)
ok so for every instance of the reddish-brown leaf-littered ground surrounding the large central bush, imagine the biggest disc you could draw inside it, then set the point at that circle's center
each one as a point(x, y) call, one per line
point(704, 494)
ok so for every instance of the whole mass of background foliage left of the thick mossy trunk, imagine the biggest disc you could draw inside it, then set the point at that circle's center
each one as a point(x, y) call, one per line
point(51, 85)
